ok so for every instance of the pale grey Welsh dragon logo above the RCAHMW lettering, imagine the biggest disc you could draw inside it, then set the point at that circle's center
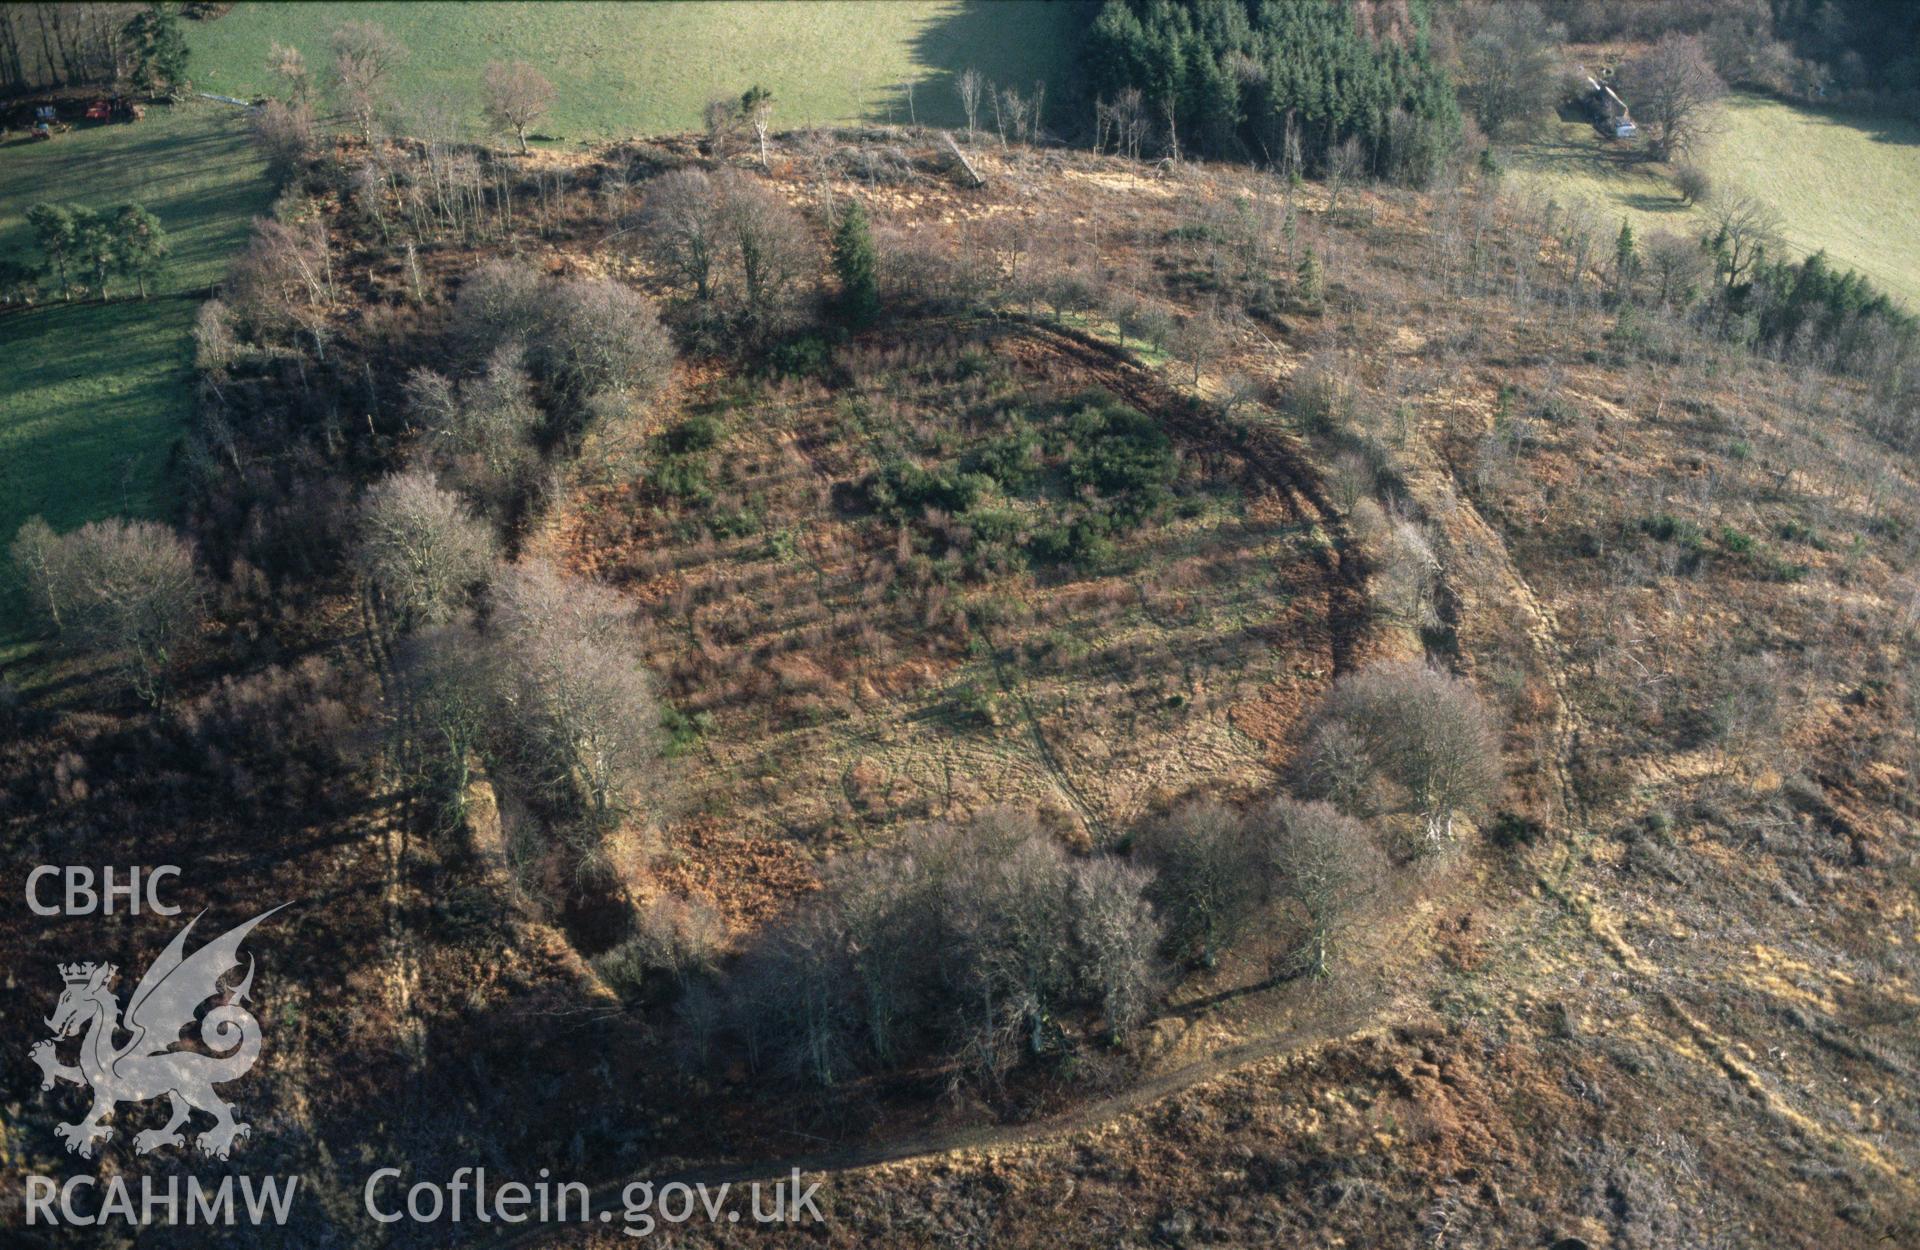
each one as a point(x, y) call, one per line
point(149, 1065)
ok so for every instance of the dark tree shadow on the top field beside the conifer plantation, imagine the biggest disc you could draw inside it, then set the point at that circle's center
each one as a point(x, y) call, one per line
point(1011, 43)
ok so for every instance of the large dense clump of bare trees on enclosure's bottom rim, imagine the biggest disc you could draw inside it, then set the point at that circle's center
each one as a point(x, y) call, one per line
point(976, 936)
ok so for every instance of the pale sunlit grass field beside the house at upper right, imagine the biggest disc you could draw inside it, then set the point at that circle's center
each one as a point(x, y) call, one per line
point(1850, 185)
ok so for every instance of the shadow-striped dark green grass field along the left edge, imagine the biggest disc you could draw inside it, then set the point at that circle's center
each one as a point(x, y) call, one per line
point(97, 395)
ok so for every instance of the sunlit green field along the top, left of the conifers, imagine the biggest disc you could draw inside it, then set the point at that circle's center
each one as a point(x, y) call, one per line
point(625, 70)
